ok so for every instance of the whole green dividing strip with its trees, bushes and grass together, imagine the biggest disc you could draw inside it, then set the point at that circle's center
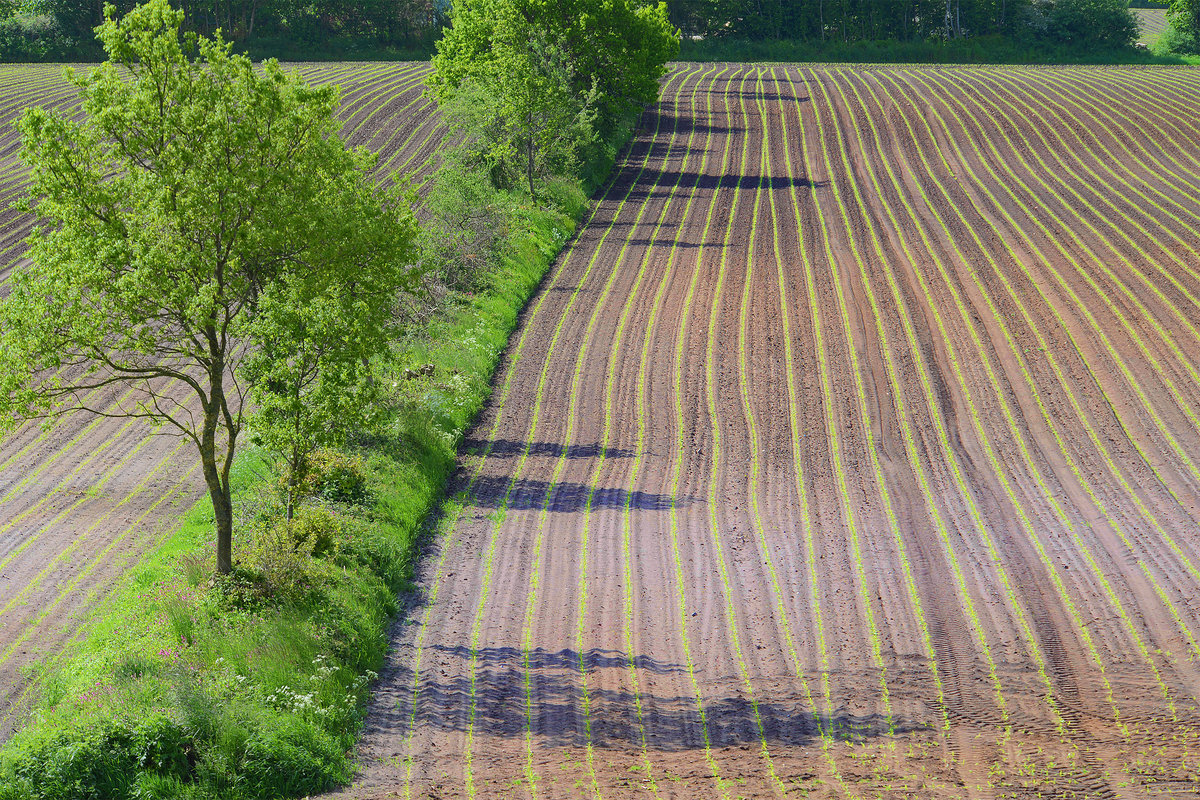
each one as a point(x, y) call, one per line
point(241, 667)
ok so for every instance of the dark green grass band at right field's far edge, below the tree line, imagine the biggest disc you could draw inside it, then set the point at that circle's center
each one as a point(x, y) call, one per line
point(979, 50)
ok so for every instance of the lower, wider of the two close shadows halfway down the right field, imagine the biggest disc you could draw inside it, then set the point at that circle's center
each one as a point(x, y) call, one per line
point(496, 492)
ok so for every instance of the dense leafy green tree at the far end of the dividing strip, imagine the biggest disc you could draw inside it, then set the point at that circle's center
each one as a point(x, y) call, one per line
point(542, 79)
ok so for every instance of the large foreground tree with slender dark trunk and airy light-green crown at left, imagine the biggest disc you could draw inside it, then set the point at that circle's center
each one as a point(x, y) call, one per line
point(181, 224)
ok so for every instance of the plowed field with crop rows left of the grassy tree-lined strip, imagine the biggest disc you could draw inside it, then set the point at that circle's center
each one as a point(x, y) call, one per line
point(82, 502)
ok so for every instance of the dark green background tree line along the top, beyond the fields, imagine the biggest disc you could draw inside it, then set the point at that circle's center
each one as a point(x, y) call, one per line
point(38, 29)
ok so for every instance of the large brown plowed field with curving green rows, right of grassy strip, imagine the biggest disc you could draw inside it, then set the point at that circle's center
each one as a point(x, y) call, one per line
point(851, 450)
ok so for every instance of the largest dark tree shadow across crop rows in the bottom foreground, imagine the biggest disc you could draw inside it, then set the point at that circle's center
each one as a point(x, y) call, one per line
point(671, 723)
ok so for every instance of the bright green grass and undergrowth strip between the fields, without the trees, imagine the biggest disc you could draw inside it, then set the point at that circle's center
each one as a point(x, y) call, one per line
point(255, 685)
